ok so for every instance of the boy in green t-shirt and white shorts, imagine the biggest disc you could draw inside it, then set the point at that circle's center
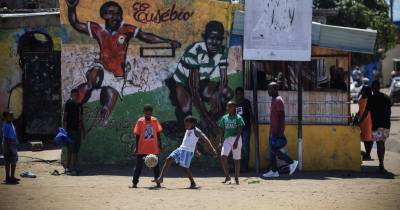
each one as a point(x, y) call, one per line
point(232, 124)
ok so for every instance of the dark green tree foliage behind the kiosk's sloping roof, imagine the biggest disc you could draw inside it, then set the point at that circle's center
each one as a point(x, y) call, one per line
point(373, 14)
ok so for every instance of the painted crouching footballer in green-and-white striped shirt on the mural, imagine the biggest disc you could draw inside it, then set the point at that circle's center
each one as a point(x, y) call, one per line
point(200, 79)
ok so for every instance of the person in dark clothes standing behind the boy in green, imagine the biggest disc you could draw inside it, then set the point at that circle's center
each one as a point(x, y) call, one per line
point(243, 108)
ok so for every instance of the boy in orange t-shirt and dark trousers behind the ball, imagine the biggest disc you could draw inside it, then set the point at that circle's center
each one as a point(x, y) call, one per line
point(147, 131)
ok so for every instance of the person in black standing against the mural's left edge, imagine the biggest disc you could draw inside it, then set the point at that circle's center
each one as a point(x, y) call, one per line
point(73, 122)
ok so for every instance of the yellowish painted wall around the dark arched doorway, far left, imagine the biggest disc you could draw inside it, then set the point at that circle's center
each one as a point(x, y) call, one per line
point(11, 92)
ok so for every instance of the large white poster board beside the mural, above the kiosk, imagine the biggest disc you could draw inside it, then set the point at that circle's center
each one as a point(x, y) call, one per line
point(278, 30)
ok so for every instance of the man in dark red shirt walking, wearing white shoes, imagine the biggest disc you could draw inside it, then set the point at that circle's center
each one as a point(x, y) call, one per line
point(277, 139)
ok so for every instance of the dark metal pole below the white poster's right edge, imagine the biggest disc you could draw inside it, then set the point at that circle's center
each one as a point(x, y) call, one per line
point(300, 113)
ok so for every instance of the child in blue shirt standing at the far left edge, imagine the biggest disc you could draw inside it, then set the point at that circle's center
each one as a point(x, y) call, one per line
point(10, 142)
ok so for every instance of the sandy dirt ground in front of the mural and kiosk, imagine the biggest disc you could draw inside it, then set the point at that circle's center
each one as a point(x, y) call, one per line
point(106, 187)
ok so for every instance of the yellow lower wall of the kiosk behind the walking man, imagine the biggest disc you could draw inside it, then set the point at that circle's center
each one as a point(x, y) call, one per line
point(325, 147)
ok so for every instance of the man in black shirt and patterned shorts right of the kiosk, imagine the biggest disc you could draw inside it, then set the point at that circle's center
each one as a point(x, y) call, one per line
point(379, 105)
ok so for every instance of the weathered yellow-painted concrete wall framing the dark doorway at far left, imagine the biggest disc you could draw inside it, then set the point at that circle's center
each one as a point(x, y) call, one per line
point(10, 71)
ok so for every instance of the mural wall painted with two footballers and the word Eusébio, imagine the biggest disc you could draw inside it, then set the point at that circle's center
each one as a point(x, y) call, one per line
point(171, 54)
